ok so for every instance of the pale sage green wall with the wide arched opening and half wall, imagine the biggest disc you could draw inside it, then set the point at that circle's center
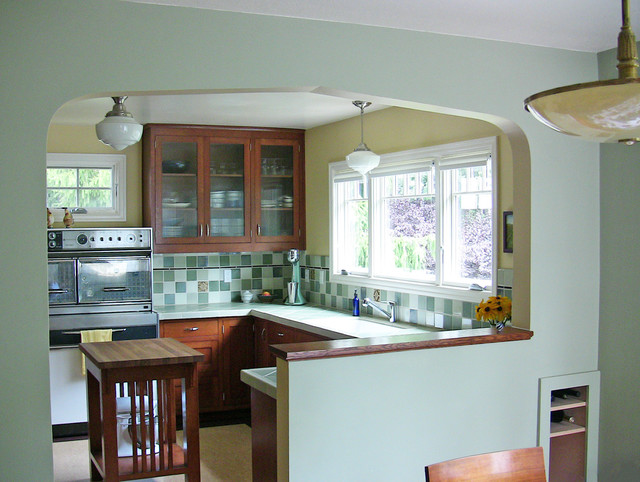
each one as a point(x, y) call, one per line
point(53, 52)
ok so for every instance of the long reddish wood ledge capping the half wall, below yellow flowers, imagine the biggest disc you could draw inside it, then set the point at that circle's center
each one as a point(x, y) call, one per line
point(366, 346)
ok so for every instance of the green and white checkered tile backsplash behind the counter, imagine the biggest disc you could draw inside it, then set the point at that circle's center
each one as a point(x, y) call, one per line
point(200, 278)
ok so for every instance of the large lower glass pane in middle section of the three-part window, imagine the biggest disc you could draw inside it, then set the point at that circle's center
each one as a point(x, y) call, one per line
point(410, 237)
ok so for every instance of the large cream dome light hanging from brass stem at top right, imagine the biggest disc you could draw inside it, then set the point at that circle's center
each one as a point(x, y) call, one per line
point(602, 111)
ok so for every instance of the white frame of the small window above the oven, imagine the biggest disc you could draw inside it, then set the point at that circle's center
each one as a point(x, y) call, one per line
point(117, 164)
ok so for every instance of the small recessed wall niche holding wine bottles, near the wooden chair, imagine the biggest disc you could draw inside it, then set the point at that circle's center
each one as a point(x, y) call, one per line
point(569, 426)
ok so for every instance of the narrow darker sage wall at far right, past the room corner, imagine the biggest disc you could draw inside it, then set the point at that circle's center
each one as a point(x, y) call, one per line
point(619, 304)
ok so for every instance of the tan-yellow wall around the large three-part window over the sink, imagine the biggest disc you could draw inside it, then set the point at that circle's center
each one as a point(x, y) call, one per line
point(390, 130)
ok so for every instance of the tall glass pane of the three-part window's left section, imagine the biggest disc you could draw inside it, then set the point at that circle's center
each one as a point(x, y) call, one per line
point(352, 227)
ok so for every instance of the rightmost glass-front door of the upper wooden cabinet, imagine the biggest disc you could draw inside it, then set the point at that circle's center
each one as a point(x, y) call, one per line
point(278, 189)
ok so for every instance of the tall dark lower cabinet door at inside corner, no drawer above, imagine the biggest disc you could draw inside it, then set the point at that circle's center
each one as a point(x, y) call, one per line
point(238, 354)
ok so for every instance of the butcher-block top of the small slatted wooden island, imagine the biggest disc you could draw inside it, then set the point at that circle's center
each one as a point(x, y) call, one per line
point(138, 353)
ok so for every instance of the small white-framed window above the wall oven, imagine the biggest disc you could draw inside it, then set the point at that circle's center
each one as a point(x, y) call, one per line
point(92, 186)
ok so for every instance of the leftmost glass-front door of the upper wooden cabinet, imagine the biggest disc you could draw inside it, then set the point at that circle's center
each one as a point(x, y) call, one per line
point(179, 179)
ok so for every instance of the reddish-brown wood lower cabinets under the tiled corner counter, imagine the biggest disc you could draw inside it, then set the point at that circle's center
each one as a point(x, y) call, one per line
point(230, 344)
